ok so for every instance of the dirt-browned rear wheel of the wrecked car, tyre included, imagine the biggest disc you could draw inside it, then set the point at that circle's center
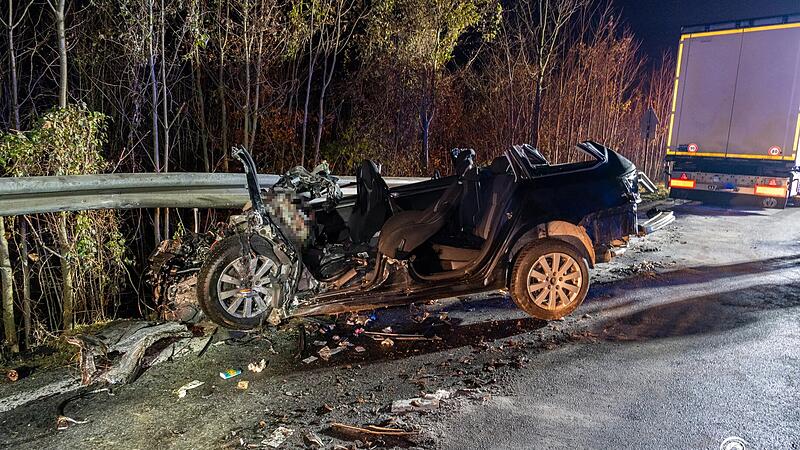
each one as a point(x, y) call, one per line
point(537, 292)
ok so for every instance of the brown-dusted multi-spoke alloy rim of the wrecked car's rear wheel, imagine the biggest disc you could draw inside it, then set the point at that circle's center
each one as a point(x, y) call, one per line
point(554, 281)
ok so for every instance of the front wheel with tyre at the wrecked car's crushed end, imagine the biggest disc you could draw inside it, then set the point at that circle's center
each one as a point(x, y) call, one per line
point(218, 296)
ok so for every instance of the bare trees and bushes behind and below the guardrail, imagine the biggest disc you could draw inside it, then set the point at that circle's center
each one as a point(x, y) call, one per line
point(167, 85)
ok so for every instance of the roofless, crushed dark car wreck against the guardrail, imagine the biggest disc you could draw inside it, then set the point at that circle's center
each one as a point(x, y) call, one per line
point(520, 223)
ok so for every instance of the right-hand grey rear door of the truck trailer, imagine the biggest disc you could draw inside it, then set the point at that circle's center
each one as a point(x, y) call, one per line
point(766, 106)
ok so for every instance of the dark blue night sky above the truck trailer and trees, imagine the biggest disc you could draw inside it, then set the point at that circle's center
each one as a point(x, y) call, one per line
point(657, 23)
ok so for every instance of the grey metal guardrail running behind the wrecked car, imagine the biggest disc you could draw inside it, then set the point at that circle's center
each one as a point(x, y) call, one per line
point(32, 195)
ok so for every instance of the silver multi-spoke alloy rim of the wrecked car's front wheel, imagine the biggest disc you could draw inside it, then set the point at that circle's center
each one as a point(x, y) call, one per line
point(244, 289)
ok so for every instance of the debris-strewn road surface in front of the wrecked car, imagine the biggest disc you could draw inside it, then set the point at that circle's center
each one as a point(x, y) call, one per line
point(689, 338)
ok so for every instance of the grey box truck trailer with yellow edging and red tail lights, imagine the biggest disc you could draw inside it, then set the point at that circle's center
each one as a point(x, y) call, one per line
point(734, 127)
